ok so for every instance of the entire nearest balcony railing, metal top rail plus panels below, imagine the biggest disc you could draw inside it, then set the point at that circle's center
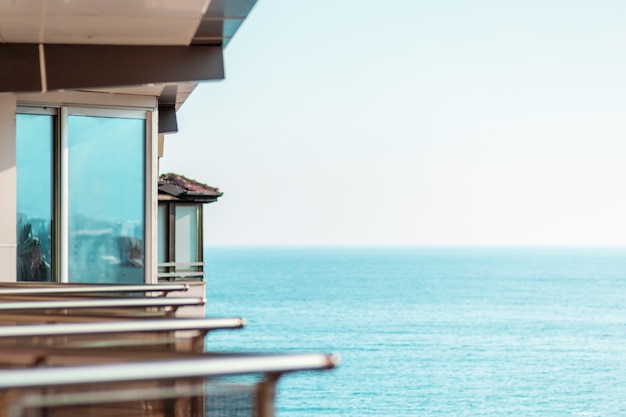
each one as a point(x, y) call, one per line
point(186, 387)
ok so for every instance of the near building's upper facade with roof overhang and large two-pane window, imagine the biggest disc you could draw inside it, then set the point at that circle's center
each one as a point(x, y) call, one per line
point(88, 91)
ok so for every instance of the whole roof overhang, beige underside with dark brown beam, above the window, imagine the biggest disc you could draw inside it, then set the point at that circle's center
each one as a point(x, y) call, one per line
point(138, 46)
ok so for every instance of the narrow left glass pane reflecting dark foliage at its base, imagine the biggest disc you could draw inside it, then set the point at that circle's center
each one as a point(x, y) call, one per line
point(34, 138)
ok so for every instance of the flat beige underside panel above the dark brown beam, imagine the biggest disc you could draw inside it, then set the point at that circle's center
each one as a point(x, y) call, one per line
point(111, 22)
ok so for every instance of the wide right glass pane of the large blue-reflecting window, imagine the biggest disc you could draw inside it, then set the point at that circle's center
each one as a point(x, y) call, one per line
point(106, 161)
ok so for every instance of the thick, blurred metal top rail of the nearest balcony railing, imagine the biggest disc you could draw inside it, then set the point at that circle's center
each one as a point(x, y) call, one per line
point(224, 365)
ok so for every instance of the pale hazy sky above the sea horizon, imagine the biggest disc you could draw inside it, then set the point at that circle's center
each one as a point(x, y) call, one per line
point(414, 122)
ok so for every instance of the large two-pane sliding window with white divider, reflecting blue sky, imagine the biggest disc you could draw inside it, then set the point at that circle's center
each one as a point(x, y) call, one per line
point(81, 195)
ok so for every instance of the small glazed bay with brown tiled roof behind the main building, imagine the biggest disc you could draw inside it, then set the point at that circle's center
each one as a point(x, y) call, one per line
point(180, 226)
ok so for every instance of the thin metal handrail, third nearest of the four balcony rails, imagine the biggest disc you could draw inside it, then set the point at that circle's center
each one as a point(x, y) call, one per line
point(102, 303)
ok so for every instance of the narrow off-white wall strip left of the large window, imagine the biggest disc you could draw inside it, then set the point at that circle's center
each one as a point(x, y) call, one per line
point(8, 225)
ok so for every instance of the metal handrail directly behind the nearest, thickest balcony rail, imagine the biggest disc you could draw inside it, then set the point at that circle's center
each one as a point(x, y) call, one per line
point(131, 326)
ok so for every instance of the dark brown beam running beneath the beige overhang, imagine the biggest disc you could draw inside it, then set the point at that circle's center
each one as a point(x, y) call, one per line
point(30, 68)
